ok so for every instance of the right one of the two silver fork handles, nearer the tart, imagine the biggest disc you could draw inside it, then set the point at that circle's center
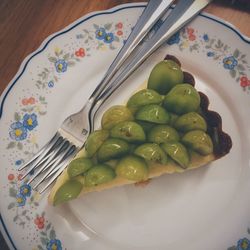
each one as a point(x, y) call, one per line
point(179, 16)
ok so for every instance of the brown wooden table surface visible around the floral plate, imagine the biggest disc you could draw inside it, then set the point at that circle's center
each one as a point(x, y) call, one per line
point(24, 24)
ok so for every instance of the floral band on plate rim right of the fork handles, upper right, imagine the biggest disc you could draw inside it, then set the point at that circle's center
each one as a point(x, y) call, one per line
point(232, 60)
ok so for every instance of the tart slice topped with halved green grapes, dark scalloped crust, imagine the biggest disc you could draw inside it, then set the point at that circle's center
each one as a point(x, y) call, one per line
point(164, 128)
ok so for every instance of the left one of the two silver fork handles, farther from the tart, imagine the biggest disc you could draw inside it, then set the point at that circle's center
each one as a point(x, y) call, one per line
point(152, 13)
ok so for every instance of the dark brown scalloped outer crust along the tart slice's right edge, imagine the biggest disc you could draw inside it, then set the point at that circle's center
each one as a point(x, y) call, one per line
point(222, 141)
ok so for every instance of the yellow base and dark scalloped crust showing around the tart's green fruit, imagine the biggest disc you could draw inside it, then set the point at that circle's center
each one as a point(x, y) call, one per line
point(221, 141)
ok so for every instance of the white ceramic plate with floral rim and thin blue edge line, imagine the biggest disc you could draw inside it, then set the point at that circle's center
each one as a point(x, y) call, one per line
point(207, 208)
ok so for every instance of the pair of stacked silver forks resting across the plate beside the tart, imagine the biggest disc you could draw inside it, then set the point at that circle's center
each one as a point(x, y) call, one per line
point(52, 159)
